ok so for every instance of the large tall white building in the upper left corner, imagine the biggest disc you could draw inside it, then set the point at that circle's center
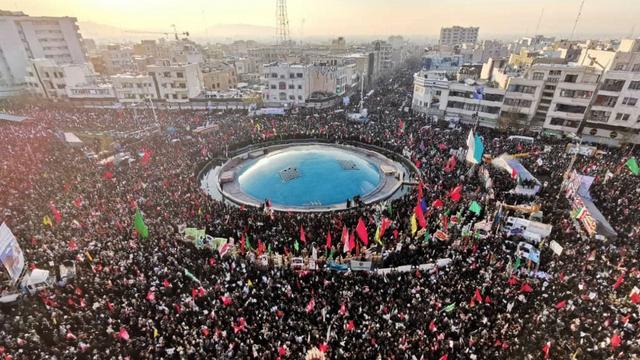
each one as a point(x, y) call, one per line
point(25, 37)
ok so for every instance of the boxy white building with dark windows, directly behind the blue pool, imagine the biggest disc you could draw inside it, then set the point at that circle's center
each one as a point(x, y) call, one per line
point(286, 84)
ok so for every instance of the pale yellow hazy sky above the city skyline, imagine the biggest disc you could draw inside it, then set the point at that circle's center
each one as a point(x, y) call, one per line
point(352, 17)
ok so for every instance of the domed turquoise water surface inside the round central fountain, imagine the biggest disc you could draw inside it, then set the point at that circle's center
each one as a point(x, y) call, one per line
point(309, 175)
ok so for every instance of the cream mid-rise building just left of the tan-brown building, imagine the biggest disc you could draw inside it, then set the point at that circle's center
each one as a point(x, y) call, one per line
point(177, 83)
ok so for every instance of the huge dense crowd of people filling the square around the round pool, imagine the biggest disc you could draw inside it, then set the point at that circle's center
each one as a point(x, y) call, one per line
point(158, 297)
